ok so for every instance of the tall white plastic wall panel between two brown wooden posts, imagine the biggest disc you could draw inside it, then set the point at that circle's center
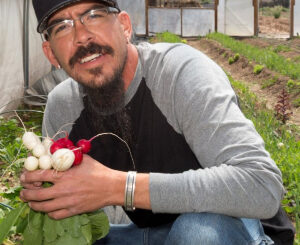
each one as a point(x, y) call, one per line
point(236, 17)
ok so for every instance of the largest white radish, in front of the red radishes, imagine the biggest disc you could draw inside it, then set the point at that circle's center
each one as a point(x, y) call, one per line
point(63, 159)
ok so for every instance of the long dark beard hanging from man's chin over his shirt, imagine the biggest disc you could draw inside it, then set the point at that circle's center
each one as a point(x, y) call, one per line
point(105, 107)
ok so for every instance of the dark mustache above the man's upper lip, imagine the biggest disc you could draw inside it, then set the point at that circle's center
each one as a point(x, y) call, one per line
point(91, 48)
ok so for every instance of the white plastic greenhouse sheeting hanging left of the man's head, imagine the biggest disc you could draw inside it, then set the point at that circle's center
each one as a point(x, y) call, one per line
point(11, 55)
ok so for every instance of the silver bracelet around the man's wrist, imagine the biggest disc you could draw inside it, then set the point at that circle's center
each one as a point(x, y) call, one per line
point(129, 191)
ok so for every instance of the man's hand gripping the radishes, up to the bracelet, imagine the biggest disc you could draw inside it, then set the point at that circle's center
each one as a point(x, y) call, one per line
point(83, 188)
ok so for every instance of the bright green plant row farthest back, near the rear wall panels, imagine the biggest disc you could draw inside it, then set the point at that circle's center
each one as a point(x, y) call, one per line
point(265, 57)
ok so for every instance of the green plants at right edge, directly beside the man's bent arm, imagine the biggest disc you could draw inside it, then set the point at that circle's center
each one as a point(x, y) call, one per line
point(281, 142)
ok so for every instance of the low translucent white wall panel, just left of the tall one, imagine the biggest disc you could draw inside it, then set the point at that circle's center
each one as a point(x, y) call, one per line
point(197, 22)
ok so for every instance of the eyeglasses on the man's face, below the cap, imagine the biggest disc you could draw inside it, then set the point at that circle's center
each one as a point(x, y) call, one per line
point(94, 17)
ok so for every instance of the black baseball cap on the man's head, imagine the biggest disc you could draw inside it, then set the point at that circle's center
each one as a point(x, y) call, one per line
point(45, 8)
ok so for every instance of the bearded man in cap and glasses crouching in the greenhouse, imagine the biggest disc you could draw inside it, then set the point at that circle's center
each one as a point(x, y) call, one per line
point(196, 172)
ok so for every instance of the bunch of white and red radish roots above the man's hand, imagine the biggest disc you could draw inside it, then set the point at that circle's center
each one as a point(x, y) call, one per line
point(59, 155)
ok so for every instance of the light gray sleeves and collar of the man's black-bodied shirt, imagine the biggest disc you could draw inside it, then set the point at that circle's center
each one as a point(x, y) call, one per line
point(237, 177)
